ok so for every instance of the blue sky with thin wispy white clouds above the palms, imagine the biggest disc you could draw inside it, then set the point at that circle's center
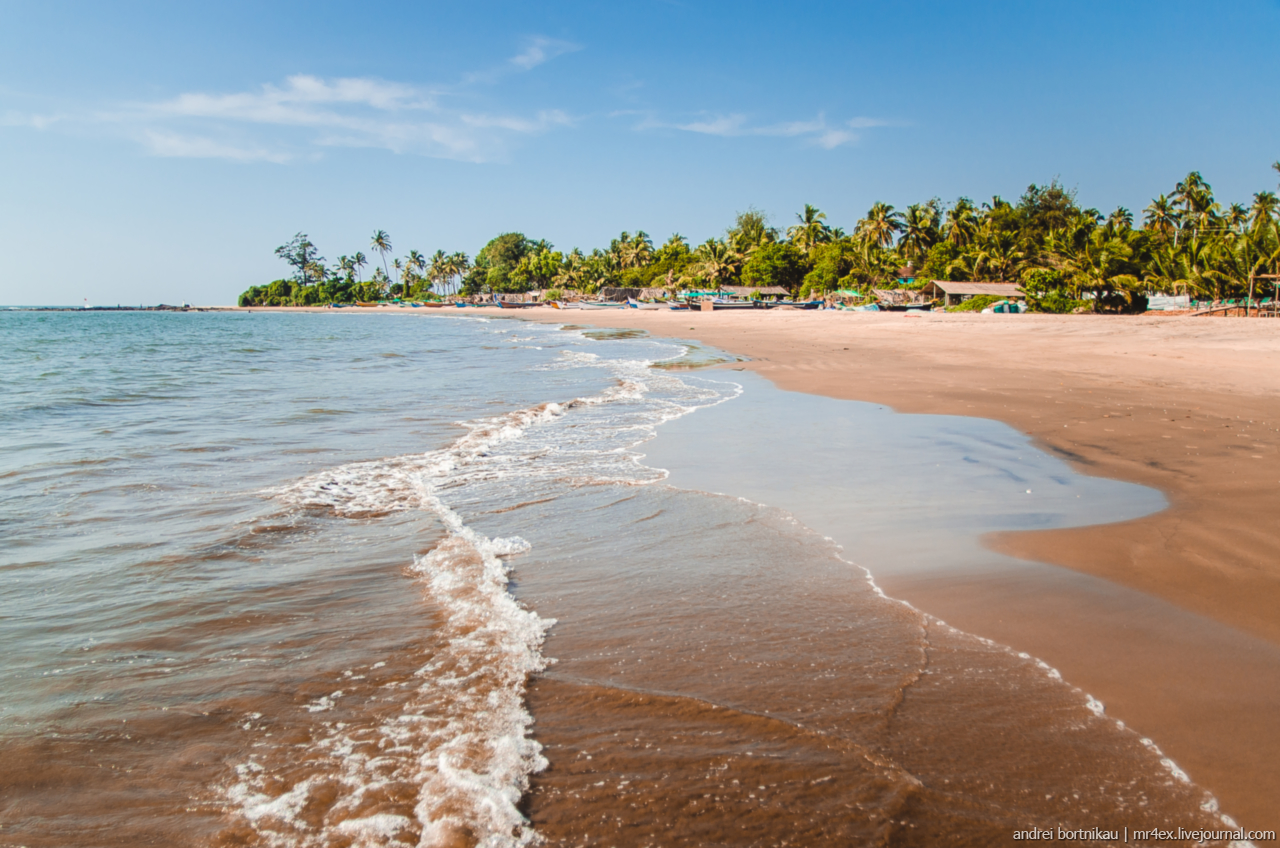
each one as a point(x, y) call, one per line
point(159, 153)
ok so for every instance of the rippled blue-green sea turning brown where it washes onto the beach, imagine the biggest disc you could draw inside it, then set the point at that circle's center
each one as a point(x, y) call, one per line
point(410, 580)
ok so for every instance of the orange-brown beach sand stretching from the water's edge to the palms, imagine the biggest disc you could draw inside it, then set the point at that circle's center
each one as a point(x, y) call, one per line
point(1169, 619)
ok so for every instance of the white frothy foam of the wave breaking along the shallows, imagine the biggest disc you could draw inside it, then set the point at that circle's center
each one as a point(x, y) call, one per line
point(461, 740)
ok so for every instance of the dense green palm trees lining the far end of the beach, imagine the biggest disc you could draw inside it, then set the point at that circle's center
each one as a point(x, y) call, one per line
point(1063, 256)
